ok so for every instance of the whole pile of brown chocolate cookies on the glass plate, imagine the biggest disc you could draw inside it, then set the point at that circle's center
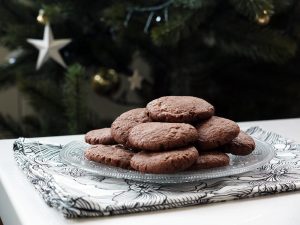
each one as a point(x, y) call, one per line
point(172, 134)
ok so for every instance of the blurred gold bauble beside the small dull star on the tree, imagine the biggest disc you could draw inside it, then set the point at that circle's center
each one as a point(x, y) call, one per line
point(106, 81)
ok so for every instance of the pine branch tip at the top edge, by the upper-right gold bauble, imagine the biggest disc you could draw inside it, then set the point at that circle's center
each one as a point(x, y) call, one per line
point(253, 8)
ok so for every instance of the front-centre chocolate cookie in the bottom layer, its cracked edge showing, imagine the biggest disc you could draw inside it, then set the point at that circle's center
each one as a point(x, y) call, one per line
point(164, 162)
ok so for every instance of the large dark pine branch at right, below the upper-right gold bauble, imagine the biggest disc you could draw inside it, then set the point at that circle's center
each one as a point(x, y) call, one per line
point(258, 43)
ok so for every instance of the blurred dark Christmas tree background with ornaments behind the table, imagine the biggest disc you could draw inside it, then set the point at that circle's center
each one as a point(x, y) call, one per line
point(70, 66)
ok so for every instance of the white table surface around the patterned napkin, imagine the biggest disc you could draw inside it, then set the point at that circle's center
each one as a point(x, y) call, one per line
point(21, 204)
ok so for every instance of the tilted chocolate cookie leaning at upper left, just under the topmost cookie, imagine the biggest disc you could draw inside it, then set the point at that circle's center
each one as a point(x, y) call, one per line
point(121, 127)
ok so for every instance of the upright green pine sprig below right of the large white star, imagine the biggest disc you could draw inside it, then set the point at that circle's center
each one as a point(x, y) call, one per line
point(74, 99)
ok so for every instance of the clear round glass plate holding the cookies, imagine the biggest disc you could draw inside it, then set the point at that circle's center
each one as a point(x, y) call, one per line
point(73, 154)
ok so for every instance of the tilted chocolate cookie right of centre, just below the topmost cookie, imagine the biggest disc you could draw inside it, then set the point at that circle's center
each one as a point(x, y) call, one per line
point(215, 132)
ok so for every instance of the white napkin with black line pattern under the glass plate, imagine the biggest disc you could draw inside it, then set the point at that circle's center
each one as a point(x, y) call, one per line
point(77, 193)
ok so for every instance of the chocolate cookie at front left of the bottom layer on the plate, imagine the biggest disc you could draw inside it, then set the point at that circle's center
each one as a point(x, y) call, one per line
point(112, 155)
